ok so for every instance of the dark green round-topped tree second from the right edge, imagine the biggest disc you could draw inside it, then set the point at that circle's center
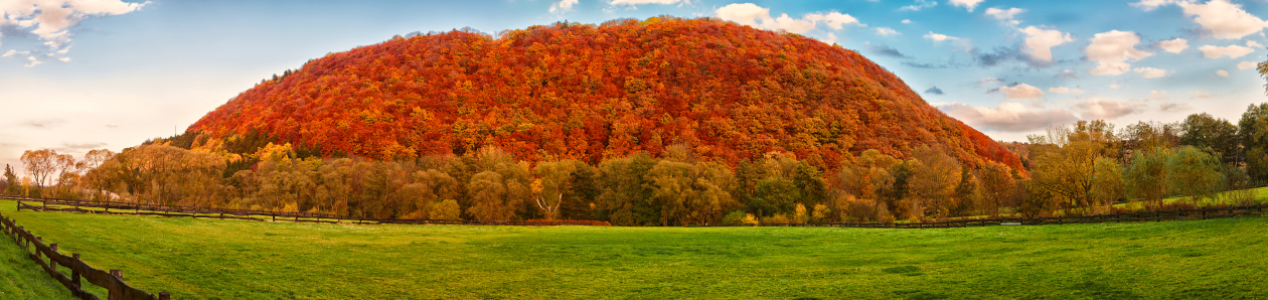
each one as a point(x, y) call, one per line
point(1209, 134)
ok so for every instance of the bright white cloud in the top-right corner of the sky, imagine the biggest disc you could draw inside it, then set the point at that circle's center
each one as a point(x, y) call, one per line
point(1223, 18)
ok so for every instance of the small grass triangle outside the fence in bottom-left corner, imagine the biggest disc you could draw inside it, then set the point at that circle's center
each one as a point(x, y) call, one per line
point(22, 279)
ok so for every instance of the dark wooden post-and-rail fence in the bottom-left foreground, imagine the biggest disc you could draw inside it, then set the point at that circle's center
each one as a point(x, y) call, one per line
point(112, 282)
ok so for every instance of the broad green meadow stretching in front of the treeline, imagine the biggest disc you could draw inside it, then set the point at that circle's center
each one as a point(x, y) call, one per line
point(197, 259)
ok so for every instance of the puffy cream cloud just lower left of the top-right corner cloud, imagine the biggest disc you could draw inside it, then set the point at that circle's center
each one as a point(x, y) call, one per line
point(1111, 51)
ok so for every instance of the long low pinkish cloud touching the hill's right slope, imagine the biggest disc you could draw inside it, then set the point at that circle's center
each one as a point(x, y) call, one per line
point(1010, 117)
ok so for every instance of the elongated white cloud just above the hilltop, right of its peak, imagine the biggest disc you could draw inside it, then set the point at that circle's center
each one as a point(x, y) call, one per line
point(751, 15)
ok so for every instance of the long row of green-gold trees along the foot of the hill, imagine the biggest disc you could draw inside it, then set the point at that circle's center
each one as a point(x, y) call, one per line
point(1089, 168)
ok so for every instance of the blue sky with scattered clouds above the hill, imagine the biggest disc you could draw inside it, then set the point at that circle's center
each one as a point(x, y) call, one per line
point(79, 75)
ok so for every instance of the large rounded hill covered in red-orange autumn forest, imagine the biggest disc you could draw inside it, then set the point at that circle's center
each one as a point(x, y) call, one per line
point(593, 93)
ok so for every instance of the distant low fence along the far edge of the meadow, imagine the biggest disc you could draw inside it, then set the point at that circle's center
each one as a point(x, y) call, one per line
point(261, 216)
